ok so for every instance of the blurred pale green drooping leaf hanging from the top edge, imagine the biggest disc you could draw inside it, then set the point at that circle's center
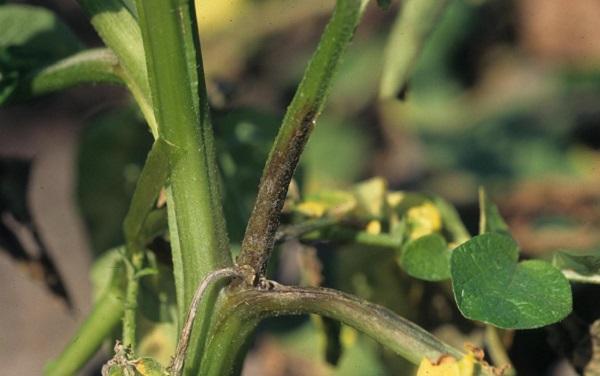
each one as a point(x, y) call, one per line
point(413, 25)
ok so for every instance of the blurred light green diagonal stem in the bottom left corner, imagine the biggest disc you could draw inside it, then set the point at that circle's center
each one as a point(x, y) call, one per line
point(100, 323)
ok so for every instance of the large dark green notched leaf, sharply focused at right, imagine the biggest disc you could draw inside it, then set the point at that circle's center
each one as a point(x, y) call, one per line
point(491, 286)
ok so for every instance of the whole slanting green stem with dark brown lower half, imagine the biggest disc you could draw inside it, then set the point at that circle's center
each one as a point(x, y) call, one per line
point(298, 123)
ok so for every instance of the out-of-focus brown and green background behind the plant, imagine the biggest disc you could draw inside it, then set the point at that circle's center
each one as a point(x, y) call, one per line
point(506, 95)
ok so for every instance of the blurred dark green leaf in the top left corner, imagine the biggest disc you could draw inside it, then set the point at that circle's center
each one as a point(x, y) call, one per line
point(31, 38)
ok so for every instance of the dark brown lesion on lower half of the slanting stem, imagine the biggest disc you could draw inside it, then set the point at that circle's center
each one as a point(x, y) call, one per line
point(261, 231)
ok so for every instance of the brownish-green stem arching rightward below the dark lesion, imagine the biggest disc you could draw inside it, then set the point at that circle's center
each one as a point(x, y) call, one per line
point(399, 335)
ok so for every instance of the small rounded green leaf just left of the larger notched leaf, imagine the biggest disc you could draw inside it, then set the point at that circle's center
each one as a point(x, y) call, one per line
point(427, 257)
